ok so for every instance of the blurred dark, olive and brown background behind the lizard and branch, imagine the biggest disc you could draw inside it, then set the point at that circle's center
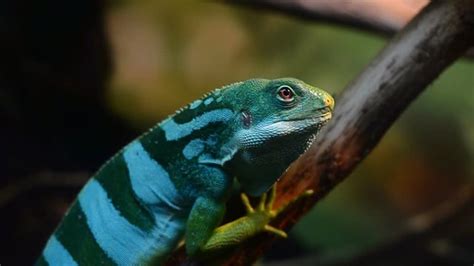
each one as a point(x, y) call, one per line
point(79, 81)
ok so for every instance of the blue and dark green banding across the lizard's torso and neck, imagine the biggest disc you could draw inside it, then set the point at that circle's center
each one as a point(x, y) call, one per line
point(131, 211)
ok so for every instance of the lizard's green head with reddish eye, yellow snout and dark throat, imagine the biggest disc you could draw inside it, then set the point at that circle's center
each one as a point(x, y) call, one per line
point(277, 121)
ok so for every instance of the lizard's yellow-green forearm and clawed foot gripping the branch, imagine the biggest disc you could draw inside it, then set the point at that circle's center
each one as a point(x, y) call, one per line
point(256, 221)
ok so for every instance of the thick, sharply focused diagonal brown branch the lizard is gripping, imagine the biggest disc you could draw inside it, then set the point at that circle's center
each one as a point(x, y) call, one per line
point(437, 36)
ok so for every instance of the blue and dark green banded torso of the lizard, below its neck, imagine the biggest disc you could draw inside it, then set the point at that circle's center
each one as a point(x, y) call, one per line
point(136, 218)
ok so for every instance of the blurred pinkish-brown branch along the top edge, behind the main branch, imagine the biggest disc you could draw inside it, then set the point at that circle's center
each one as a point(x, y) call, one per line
point(385, 17)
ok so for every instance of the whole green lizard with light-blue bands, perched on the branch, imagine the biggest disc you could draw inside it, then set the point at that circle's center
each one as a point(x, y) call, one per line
point(174, 180)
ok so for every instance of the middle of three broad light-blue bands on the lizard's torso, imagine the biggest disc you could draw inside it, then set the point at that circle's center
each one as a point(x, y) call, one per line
point(122, 241)
